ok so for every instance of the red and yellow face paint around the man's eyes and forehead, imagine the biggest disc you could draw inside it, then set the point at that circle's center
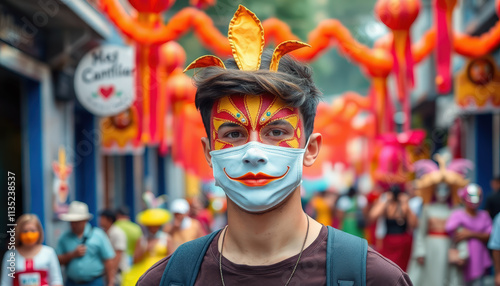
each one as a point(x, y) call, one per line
point(236, 120)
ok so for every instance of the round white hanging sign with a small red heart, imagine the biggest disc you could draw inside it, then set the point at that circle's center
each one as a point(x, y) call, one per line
point(105, 80)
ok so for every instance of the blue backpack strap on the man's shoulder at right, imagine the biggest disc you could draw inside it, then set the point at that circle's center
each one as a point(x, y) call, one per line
point(345, 259)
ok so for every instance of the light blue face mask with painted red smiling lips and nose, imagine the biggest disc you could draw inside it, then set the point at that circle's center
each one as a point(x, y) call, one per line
point(256, 176)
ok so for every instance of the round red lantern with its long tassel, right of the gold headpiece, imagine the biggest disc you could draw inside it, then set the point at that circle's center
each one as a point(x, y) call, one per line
point(399, 15)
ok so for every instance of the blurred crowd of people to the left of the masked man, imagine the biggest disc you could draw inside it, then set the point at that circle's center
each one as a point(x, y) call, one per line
point(117, 252)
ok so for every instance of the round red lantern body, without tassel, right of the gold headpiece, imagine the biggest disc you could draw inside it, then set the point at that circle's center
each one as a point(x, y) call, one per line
point(397, 14)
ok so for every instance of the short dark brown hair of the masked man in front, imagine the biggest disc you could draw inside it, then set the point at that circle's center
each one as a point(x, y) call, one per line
point(292, 83)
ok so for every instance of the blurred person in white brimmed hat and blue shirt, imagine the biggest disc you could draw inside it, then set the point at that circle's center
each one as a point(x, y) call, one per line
point(85, 250)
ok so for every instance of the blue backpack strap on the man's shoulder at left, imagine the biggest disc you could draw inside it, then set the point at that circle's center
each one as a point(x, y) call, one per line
point(184, 264)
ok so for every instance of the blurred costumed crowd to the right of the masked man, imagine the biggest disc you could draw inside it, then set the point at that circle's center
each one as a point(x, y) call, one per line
point(442, 239)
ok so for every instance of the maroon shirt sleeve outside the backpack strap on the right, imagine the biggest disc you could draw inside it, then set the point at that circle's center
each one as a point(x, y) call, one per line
point(382, 271)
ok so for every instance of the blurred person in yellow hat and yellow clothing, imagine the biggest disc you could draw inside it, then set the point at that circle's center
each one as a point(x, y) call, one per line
point(152, 246)
